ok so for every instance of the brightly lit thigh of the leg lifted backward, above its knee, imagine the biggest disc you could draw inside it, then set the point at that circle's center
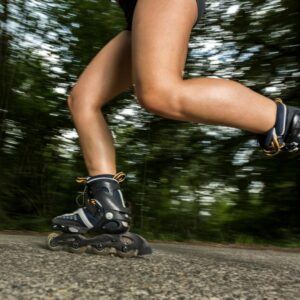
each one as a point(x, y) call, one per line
point(160, 35)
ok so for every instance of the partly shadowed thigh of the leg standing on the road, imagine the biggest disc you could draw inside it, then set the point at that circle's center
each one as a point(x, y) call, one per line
point(108, 74)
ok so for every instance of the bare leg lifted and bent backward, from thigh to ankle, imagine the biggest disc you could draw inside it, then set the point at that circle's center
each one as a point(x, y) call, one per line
point(160, 35)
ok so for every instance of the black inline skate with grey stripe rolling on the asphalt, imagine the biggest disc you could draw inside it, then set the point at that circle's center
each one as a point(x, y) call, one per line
point(104, 212)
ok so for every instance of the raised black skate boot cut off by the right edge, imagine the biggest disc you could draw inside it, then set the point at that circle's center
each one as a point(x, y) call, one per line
point(285, 135)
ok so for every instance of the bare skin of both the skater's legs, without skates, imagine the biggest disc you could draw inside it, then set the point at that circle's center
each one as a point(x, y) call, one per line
point(152, 57)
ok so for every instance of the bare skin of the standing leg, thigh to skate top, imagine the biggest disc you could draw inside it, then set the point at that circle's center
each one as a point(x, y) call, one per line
point(106, 76)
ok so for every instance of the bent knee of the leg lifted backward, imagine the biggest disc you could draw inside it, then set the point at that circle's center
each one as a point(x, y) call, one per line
point(160, 98)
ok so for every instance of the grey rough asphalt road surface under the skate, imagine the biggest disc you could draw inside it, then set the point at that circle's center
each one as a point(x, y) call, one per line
point(29, 271)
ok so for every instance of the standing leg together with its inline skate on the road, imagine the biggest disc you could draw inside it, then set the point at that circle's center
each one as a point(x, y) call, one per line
point(104, 208)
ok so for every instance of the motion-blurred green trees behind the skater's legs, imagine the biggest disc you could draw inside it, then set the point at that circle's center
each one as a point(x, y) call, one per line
point(184, 181)
